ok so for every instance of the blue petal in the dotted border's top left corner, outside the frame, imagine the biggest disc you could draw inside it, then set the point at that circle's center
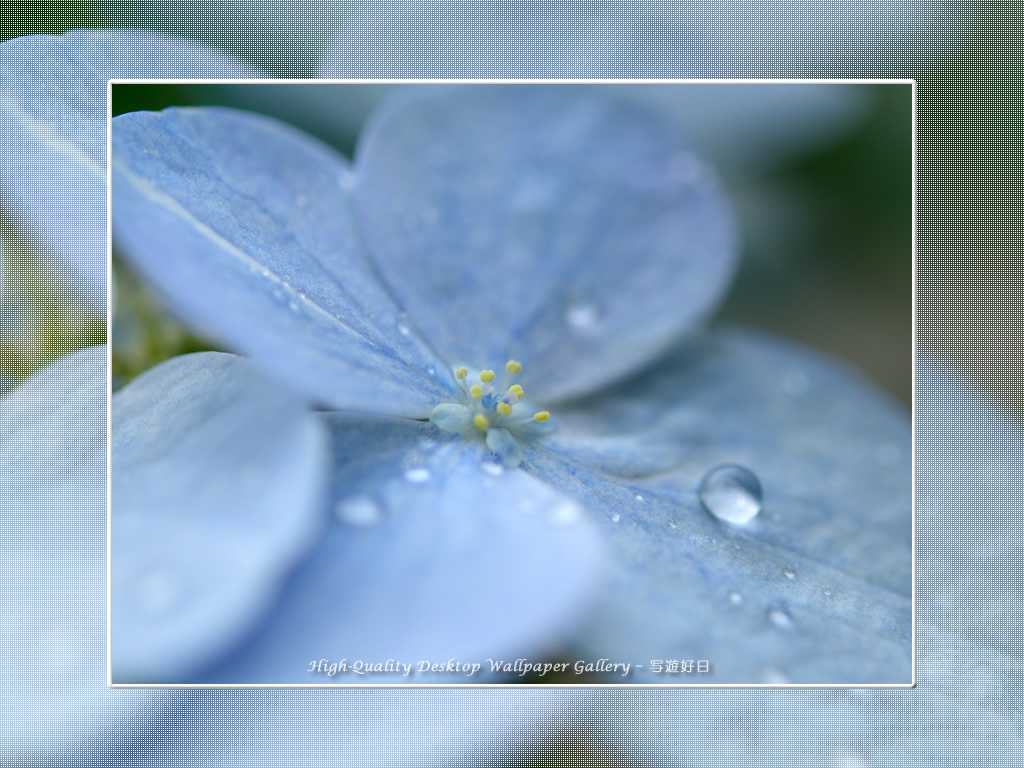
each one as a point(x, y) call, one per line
point(54, 133)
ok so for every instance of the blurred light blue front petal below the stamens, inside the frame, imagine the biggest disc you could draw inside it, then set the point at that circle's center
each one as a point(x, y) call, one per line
point(436, 553)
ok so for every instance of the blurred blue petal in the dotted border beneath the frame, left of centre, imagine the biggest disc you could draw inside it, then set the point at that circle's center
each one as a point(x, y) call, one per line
point(377, 729)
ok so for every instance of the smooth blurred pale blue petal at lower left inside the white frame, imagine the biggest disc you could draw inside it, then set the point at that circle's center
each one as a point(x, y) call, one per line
point(218, 489)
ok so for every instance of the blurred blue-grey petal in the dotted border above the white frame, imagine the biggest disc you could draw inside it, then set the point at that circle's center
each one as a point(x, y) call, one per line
point(635, 39)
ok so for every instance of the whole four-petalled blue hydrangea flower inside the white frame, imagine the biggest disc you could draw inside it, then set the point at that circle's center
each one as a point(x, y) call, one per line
point(494, 247)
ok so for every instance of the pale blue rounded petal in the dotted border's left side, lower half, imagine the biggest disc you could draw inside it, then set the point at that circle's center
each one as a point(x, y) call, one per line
point(54, 567)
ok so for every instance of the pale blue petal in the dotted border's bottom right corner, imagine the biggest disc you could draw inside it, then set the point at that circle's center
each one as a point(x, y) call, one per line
point(967, 707)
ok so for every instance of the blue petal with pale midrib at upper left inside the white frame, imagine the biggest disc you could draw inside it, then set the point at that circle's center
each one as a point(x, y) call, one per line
point(244, 224)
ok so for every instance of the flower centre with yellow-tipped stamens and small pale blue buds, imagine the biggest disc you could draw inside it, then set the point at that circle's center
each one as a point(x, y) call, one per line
point(492, 407)
